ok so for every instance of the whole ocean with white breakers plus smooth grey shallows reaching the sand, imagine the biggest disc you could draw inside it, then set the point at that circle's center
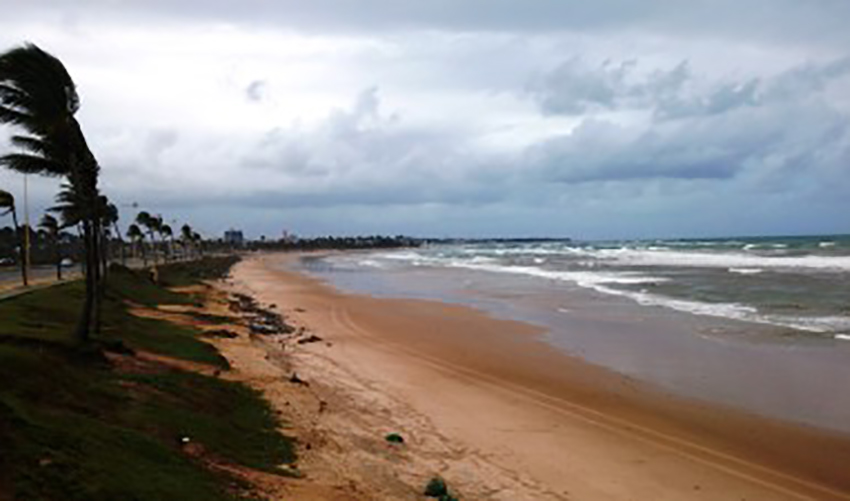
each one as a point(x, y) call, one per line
point(760, 323)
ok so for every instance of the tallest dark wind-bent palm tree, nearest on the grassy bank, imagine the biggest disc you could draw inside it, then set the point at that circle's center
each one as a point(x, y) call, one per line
point(38, 95)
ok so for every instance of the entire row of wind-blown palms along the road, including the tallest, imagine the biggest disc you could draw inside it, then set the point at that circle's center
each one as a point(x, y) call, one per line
point(39, 100)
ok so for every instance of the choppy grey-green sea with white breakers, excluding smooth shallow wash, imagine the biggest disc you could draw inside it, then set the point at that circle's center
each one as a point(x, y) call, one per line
point(800, 283)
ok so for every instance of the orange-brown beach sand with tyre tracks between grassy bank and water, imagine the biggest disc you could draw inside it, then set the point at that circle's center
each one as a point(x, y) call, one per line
point(499, 414)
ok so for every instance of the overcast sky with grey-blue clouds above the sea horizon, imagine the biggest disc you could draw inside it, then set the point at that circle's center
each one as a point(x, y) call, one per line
point(604, 119)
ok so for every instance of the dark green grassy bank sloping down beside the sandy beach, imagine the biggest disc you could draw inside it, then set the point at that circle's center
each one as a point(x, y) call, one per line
point(106, 423)
